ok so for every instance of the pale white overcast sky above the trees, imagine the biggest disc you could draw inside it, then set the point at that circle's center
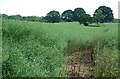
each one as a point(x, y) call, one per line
point(42, 7)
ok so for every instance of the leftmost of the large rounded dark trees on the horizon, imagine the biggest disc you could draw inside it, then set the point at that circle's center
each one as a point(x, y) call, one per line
point(53, 16)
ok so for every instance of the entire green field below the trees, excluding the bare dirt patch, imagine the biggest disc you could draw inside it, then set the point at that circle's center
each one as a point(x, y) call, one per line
point(34, 49)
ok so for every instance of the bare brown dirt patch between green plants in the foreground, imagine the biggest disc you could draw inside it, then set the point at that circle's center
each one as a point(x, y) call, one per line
point(79, 64)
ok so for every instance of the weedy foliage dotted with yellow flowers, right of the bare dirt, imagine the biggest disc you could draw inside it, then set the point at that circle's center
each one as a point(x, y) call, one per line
point(106, 58)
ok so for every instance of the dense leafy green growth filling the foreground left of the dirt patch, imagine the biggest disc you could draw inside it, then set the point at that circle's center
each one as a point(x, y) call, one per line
point(33, 53)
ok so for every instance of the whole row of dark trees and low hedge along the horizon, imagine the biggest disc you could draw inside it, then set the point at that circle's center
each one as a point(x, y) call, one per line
point(101, 15)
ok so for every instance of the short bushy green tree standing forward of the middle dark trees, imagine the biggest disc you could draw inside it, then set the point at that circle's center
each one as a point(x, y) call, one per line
point(85, 19)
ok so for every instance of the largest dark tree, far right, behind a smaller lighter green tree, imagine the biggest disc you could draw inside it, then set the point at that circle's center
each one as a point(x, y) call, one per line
point(107, 12)
